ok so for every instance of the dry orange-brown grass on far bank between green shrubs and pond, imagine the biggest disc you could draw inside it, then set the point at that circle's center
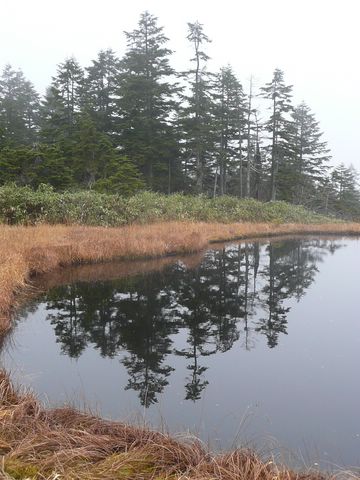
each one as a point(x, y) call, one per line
point(28, 251)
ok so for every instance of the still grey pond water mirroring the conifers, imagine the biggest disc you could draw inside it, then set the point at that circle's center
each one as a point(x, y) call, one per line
point(254, 343)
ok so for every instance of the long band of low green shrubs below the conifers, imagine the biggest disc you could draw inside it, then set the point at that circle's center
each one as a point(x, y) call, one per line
point(22, 205)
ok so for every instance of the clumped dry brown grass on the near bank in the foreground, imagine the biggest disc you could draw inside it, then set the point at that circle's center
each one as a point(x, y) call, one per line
point(65, 444)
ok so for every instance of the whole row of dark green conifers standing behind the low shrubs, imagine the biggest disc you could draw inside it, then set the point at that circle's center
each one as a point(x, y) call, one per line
point(125, 124)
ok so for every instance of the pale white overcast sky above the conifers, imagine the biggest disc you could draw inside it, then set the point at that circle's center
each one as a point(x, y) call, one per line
point(315, 42)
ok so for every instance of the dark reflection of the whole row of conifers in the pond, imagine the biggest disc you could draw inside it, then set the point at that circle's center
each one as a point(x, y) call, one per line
point(236, 293)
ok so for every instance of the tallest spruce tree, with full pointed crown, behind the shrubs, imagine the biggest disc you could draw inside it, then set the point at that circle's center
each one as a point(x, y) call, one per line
point(147, 104)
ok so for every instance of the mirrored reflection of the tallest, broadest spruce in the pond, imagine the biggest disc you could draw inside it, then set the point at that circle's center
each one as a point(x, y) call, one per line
point(146, 337)
